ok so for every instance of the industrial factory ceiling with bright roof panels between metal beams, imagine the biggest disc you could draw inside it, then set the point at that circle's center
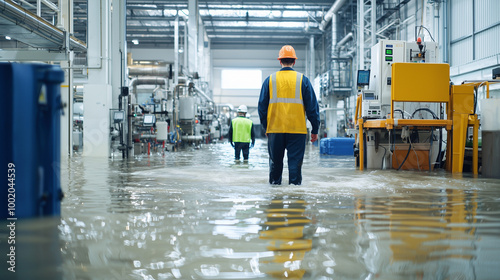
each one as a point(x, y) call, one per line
point(150, 23)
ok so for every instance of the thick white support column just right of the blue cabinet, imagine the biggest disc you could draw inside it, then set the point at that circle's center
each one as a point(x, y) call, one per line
point(97, 94)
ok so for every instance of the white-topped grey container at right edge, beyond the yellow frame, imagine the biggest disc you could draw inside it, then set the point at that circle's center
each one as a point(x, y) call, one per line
point(490, 124)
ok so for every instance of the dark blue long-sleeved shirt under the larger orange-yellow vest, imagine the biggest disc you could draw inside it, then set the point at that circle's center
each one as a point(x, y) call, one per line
point(308, 97)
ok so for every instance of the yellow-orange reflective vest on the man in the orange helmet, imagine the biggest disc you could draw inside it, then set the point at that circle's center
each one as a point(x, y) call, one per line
point(286, 113)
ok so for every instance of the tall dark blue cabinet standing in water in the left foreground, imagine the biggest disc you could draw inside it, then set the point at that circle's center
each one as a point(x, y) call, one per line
point(30, 154)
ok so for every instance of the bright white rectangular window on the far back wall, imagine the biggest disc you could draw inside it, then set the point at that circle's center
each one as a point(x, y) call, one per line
point(241, 79)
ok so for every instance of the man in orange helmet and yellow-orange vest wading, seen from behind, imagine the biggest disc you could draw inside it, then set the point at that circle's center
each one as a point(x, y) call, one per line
point(286, 98)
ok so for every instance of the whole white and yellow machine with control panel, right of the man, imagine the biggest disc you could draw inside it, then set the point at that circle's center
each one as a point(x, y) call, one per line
point(400, 139)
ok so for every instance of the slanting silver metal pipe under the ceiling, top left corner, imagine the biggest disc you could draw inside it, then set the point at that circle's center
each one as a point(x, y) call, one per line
point(23, 18)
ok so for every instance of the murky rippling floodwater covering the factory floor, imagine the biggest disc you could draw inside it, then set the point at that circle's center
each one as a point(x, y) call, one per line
point(199, 214)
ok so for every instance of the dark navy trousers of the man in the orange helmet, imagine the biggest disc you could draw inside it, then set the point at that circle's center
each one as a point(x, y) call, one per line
point(295, 145)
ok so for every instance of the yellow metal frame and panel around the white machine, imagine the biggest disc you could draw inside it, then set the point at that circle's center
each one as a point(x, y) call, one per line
point(429, 82)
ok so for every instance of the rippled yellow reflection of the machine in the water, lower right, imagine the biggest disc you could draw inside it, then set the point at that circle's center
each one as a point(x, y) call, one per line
point(420, 234)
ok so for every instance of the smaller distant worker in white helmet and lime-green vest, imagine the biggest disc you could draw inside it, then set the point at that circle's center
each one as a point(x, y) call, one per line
point(241, 133)
